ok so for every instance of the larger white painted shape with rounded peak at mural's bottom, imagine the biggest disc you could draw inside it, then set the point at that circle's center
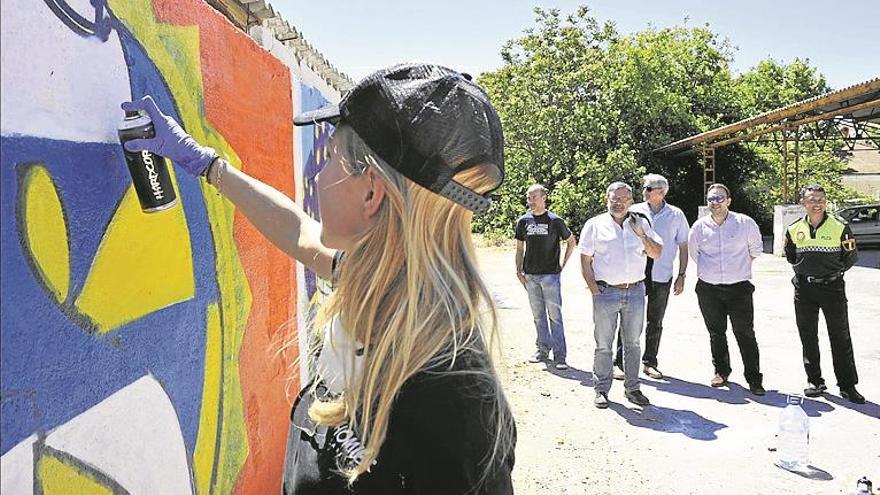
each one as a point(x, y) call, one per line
point(132, 436)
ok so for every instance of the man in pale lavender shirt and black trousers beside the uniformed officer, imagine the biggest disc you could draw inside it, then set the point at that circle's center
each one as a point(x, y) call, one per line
point(724, 245)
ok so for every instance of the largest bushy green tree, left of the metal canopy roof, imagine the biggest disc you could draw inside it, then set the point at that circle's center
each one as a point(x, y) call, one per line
point(583, 106)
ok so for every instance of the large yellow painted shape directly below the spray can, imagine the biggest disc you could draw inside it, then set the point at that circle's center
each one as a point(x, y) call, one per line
point(144, 264)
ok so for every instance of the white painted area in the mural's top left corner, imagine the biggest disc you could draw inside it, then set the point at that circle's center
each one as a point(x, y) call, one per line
point(57, 84)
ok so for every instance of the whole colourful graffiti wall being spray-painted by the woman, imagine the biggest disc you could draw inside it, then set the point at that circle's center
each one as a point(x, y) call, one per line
point(141, 353)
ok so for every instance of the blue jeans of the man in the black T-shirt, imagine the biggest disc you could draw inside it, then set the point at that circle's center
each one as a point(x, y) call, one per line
point(545, 298)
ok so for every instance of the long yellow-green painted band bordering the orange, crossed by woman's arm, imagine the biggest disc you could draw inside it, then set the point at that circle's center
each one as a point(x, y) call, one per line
point(175, 52)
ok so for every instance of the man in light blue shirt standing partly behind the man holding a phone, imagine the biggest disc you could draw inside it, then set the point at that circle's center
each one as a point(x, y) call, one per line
point(670, 223)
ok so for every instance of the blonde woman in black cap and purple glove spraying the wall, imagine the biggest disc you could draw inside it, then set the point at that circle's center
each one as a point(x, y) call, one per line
point(406, 398)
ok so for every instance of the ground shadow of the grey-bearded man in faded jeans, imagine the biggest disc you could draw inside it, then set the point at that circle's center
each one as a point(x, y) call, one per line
point(668, 420)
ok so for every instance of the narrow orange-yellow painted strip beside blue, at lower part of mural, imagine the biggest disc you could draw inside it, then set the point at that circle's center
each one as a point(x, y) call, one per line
point(206, 443)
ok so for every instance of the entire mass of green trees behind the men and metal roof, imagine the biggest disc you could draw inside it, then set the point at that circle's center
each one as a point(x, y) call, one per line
point(583, 105)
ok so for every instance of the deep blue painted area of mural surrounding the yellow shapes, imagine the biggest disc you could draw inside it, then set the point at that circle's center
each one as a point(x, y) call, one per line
point(53, 368)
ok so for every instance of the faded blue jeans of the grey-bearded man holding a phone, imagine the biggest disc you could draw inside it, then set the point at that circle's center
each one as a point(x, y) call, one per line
point(609, 306)
